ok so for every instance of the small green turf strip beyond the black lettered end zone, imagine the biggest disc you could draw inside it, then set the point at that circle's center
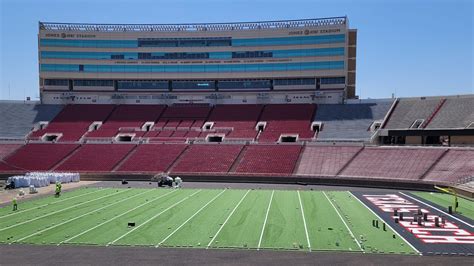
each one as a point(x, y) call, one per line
point(466, 207)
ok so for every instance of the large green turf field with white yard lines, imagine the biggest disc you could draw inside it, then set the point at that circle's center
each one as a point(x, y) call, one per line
point(201, 218)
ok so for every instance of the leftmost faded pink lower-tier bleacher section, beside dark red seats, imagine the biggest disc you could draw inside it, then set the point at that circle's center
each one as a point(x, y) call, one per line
point(325, 160)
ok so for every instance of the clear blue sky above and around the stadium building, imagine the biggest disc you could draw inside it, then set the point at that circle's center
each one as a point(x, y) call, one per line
point(408, 47)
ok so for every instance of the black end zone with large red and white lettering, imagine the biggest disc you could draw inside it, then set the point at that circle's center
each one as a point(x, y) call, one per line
point(427, 228)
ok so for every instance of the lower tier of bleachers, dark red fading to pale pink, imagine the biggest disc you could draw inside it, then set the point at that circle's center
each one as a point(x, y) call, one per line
point(438, 165)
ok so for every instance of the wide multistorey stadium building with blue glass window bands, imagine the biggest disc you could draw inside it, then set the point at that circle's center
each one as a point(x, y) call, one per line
point(292, 61)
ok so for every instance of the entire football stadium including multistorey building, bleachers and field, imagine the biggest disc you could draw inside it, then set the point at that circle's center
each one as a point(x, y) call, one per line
point(231, 142)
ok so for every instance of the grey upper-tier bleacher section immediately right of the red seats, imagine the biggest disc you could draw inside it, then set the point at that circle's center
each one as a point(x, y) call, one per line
point(349, 121)
